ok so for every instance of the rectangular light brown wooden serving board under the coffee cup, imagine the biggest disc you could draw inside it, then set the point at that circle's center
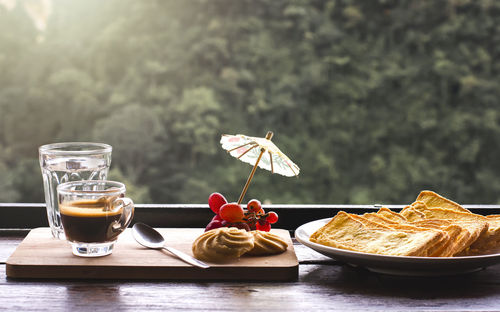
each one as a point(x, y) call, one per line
point(41, 256)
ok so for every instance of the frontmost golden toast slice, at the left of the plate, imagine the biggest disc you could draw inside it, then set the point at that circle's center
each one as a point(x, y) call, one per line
point(344, 231)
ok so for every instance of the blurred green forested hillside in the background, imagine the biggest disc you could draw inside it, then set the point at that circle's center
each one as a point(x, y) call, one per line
point(374, 100)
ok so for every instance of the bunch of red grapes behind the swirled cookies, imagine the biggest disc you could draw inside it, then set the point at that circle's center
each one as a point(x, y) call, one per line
point(233, 215)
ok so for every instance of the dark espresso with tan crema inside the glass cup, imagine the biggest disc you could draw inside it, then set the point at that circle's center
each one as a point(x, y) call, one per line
point(90, 221)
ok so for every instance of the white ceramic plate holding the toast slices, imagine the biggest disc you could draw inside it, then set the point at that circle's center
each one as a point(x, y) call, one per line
point(396, 265)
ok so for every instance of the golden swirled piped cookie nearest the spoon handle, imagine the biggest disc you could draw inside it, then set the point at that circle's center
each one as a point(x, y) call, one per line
point(222, 244)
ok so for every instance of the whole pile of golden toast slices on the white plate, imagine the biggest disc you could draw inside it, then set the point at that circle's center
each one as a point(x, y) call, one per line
point(432, 226)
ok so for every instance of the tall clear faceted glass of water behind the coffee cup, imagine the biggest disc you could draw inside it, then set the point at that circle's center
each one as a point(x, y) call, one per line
point(70, 161)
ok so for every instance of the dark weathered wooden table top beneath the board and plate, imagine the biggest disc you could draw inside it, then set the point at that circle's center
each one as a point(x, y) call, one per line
point(323, 285)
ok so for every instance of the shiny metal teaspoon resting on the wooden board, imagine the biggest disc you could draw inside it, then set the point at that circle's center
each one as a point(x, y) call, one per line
point(151, 238)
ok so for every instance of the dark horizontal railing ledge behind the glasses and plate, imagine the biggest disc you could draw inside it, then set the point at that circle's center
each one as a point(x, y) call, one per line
point(31, 215)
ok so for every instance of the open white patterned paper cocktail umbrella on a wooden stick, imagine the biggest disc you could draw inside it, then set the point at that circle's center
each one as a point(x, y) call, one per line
point(258, 152)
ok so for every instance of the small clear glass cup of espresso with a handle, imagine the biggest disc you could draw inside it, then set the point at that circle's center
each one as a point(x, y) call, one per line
point(93, 214)
